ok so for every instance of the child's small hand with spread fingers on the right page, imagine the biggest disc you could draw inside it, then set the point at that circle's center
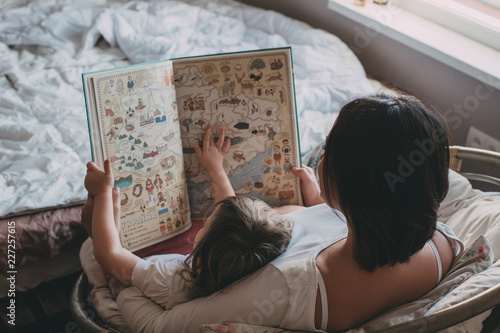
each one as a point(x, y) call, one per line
point(212, 154)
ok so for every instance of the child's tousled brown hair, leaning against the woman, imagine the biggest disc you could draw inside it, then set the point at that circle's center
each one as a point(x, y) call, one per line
point(244, 235)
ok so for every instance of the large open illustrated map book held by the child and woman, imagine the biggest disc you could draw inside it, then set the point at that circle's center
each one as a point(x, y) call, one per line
point(146, 119)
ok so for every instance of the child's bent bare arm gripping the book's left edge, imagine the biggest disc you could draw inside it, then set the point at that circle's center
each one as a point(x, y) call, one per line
point(107, 248)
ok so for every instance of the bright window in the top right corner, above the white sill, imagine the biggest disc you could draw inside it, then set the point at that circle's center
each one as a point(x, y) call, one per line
point(476, 19)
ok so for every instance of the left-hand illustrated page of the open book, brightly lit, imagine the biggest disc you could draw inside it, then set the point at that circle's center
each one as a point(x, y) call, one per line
point(140, 134)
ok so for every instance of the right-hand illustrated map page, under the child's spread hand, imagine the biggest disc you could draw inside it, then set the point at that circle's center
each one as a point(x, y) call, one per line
point(251, 95)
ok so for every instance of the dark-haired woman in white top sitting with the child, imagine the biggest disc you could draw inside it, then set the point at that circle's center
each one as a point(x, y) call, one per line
point(368, 240)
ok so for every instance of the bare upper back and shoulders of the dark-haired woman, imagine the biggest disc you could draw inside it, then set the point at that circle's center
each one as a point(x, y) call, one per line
point(356, 295)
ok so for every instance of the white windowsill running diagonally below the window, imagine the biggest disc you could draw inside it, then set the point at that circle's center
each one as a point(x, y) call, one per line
point(455, 50)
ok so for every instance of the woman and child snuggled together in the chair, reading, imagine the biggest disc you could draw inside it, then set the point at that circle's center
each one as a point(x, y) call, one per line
point(367, 240)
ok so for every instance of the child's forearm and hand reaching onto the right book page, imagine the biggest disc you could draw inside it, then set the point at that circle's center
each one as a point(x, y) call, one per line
point(211, 157)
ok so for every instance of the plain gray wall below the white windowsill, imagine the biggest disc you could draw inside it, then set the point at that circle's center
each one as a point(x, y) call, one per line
point(465, 100)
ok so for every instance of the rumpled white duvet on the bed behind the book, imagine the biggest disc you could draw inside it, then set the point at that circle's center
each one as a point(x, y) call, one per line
point(45, 47)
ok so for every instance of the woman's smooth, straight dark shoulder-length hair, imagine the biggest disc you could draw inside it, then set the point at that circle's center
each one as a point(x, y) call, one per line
point(386, 165)
